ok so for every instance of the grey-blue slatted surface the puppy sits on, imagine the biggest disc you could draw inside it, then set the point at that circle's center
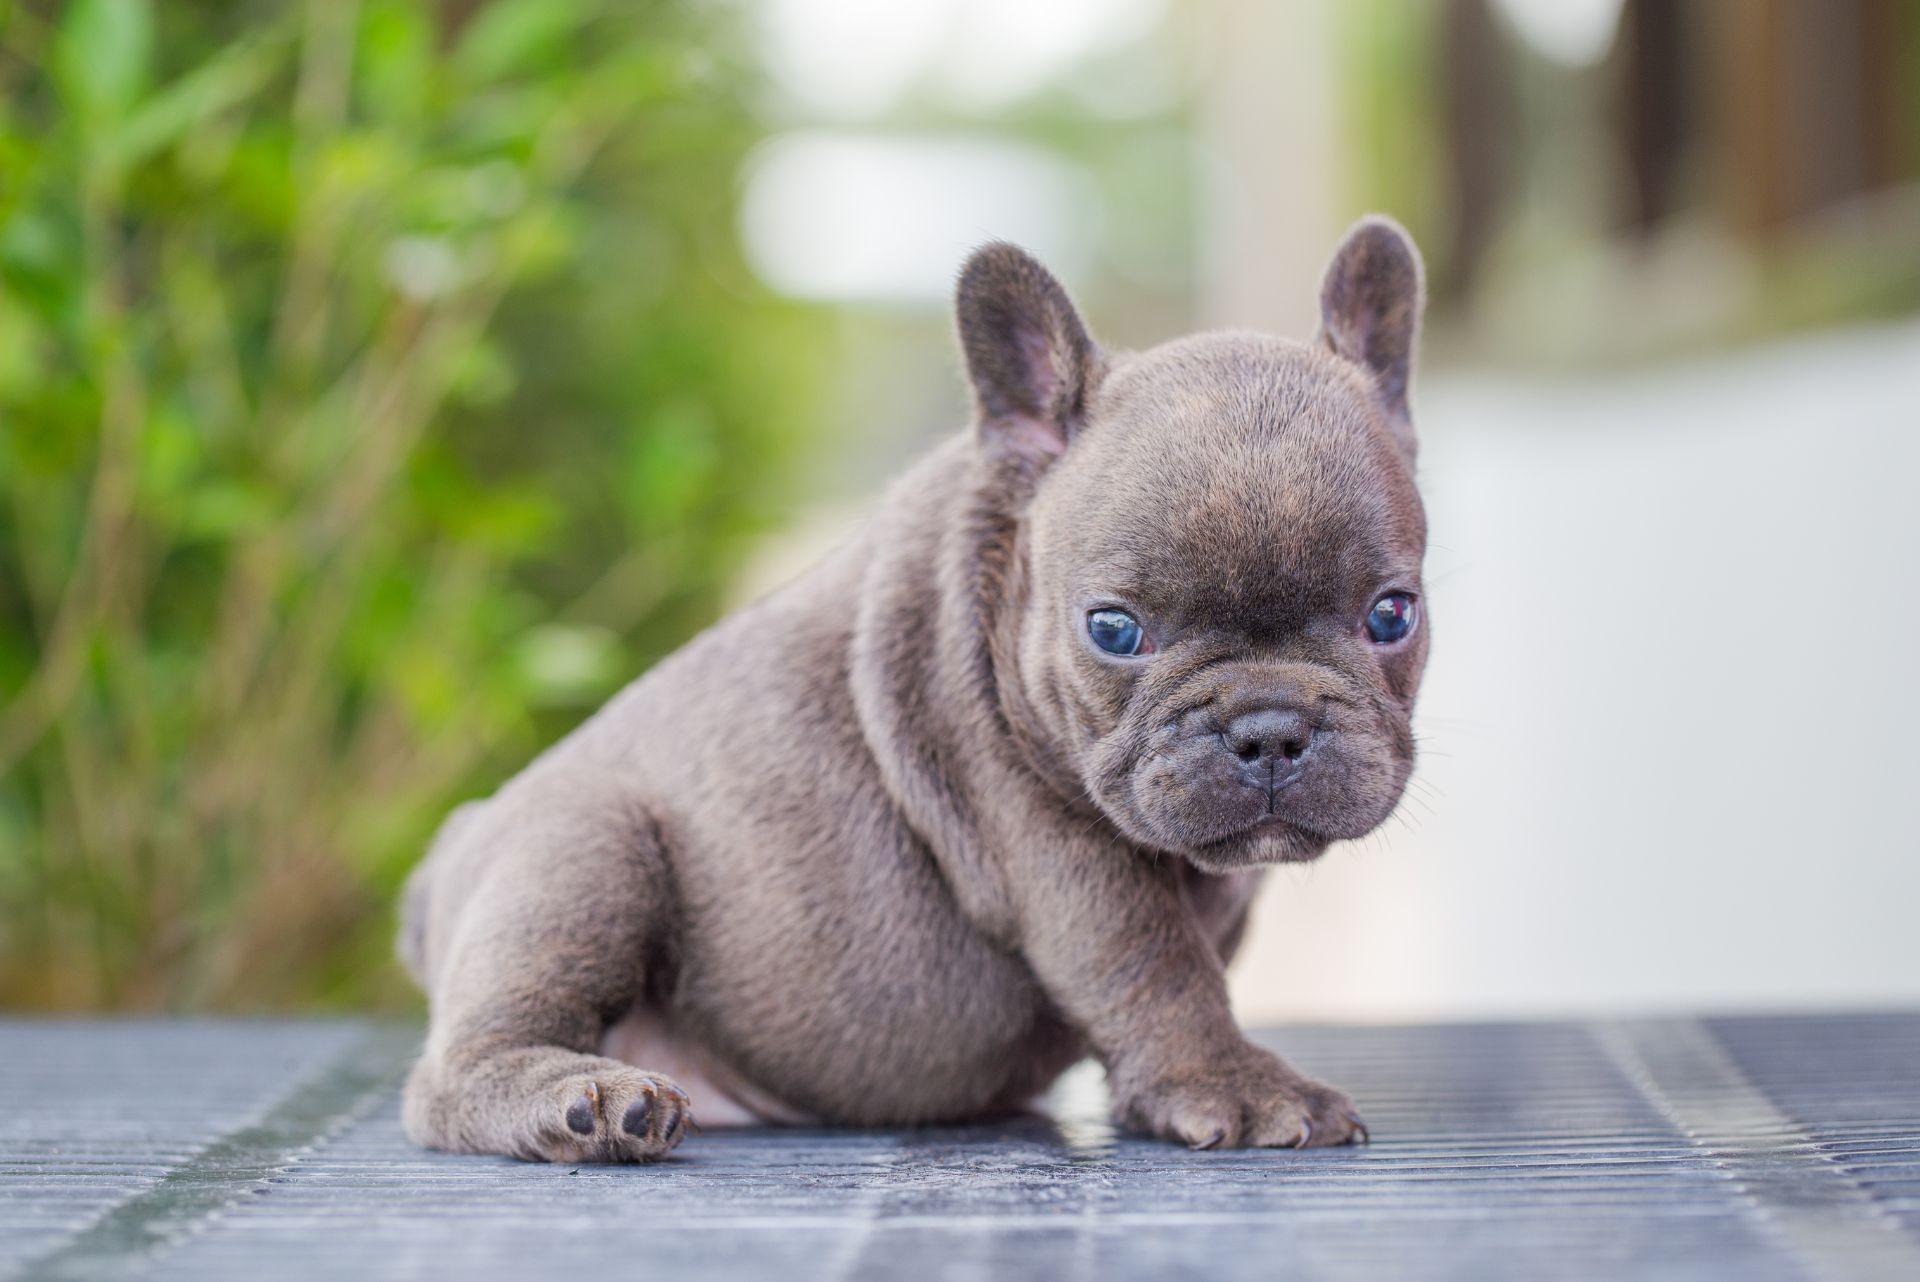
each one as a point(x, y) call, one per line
point(1679, 1149)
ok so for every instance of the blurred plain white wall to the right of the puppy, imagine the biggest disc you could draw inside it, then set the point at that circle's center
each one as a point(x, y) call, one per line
point(1669, 719)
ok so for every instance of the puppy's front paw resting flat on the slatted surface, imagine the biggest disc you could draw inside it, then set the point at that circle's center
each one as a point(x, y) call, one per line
point(1251, 1103)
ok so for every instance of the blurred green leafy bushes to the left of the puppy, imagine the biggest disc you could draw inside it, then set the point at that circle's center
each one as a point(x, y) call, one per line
point(379, 389)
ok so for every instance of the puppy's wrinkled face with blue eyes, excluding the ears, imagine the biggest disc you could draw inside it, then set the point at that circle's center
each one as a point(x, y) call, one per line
point(1226, 625)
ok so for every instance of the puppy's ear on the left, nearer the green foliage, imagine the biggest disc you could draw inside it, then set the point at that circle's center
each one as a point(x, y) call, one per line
point(1026, 352)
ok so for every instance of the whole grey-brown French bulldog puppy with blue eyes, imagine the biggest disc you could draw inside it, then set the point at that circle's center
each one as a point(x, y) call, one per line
point(992, 788)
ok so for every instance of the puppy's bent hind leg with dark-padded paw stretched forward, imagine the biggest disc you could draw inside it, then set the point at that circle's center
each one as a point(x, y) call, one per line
point(569, 901)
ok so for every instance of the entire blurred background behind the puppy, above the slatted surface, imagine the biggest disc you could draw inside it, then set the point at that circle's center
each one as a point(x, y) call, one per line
point(385, 383)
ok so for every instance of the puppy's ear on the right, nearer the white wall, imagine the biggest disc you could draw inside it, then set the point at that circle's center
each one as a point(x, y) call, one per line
point(1372, 312)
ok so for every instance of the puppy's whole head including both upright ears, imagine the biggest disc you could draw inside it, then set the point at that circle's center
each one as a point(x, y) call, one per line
point(1216, 546)
